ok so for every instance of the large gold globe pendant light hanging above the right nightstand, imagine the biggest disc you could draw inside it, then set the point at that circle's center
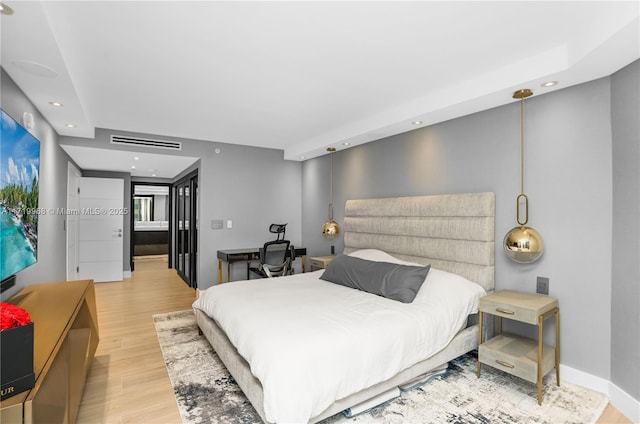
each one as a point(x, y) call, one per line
point(523, 244)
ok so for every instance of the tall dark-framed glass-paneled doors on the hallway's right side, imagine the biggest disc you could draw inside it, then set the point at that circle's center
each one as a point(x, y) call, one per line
point(185, 228)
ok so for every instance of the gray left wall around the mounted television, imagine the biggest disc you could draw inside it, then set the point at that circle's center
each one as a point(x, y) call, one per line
point(51, 265)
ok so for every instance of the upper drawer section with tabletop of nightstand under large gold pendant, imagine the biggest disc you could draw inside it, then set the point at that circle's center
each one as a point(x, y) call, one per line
point(524, 308)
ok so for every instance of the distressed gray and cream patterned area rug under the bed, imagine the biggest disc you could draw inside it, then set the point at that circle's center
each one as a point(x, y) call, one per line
point(206, 393)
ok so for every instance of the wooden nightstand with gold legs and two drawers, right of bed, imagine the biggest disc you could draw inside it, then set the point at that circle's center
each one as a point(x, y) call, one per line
point(519, 356)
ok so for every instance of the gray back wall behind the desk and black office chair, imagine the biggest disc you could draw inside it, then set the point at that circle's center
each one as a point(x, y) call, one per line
point(251, 186)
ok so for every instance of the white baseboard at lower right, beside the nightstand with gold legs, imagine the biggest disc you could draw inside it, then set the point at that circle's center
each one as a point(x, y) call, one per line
point(626, 404)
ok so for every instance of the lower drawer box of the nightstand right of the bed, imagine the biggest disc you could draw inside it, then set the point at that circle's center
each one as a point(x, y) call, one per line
point(516, 355)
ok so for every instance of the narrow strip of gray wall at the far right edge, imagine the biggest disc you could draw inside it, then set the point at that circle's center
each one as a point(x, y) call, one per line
point(625, 302)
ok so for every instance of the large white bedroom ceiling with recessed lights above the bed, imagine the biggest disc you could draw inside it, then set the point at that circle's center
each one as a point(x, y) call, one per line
point(300, 76)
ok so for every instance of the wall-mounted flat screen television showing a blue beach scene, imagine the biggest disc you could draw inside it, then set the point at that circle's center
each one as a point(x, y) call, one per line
point(19, 177)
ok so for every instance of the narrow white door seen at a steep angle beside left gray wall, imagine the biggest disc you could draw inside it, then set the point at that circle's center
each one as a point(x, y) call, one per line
point(72, 221)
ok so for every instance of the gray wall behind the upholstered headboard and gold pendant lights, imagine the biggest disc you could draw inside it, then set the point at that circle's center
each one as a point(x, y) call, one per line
point(568, 180)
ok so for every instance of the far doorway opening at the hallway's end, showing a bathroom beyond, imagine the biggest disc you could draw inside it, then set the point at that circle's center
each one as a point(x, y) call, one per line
point(150, 226)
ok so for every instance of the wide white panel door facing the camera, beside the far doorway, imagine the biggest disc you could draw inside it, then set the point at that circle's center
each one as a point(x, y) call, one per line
point(101, 228)
